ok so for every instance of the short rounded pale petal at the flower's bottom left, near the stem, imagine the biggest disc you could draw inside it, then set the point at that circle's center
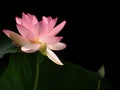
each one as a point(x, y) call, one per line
point(30, 48)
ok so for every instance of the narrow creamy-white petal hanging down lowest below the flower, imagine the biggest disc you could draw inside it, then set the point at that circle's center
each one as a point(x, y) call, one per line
point(52, 56)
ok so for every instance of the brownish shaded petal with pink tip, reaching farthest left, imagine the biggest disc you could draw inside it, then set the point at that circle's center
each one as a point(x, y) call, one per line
point(16, 38)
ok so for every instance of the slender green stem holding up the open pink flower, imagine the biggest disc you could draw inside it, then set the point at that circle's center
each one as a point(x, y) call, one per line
point(38, 62)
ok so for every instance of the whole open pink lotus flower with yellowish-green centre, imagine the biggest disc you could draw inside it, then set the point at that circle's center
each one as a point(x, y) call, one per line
point(38, 35)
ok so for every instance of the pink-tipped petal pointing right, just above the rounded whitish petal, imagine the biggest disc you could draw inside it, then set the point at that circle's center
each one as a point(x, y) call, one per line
point(50, 40)
